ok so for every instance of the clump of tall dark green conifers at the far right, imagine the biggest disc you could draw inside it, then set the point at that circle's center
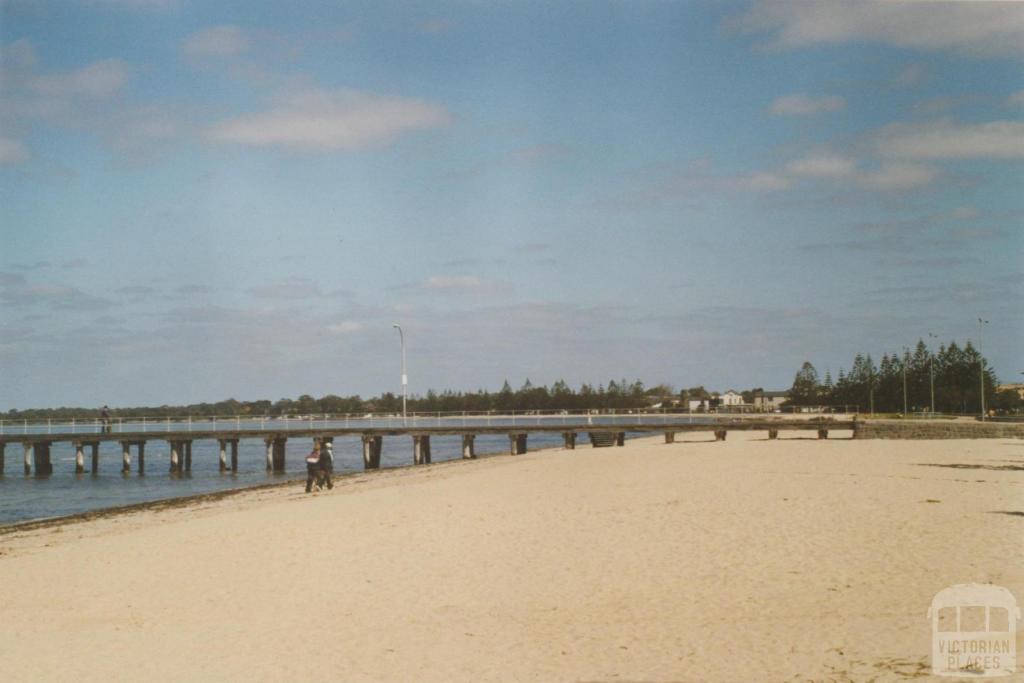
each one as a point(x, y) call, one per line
point(956, 373)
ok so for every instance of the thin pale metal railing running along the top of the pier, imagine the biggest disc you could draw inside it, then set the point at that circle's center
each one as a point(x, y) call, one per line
point(279, 423)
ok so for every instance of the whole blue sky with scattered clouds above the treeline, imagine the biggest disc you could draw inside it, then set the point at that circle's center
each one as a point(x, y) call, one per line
point(202, 201)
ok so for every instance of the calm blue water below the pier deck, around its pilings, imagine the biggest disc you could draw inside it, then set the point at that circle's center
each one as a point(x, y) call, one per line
point(65, 493)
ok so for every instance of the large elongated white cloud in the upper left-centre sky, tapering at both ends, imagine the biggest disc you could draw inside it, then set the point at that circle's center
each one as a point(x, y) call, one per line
point(332, 120)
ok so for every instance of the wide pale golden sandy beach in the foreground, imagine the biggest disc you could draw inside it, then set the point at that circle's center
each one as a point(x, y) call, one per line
point(746, 561)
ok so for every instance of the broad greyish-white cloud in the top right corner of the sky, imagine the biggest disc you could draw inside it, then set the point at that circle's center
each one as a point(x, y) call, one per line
point(982, 28)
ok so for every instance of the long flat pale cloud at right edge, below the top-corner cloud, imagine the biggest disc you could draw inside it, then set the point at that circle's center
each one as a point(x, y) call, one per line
point(946, 140)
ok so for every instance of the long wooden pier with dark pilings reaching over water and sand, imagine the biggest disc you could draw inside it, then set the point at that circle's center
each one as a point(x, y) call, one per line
point(36, 448)
